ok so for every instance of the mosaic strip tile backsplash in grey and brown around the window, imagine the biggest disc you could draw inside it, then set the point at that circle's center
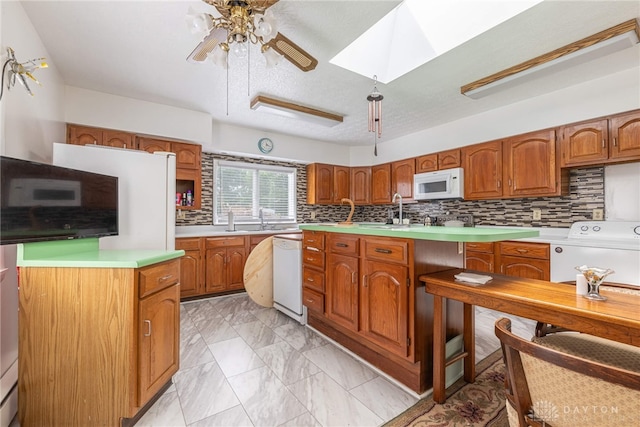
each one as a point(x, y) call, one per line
point(586, 192)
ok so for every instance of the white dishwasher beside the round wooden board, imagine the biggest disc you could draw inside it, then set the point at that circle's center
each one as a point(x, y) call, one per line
point(287, 276)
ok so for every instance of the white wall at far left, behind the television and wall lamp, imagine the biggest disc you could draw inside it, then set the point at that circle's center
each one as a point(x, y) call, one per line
point(28, 126)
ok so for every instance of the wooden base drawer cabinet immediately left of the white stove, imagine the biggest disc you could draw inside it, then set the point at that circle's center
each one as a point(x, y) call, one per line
point(524, 259)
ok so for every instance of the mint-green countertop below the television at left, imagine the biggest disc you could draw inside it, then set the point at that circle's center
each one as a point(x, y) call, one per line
point(86, 253)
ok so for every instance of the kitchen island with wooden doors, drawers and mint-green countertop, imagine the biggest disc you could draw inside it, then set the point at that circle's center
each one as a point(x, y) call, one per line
point(361, 289)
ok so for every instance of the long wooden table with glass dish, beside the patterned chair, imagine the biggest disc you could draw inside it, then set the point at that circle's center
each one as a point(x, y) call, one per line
point(617, 318)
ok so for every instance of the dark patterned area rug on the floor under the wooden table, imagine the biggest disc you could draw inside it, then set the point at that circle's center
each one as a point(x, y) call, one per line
point(478, 404)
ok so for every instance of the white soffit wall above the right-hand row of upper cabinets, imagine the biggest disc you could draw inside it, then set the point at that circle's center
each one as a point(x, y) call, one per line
point(611, 94)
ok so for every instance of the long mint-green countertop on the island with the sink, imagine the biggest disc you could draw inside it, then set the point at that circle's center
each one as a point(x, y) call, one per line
point(442, 234)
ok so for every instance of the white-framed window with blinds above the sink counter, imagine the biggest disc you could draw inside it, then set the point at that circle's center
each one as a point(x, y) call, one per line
point(245, 188)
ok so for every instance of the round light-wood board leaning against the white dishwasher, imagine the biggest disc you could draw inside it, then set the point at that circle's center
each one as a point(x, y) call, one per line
point(258, 273)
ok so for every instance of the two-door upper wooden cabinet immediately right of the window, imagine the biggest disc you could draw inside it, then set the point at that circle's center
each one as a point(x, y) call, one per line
point(327, 184)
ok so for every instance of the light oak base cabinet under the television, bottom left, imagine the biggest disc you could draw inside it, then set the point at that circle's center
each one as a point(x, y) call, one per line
point(114, 344)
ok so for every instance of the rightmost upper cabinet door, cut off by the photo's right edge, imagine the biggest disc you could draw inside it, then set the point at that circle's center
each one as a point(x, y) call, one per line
point(625, 137)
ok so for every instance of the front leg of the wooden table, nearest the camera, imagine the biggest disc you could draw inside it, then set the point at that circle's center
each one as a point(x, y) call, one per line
point(439, 343)
